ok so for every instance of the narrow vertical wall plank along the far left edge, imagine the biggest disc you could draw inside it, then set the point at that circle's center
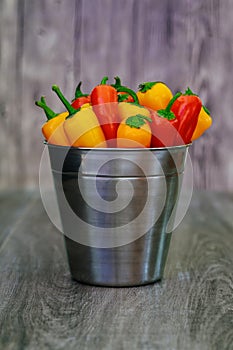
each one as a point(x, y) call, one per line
point(8, 95)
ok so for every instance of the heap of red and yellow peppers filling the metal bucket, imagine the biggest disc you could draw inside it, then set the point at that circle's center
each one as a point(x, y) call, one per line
point(112, 115)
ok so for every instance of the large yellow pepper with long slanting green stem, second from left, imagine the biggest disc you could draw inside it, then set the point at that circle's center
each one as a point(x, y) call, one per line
point(81, 127)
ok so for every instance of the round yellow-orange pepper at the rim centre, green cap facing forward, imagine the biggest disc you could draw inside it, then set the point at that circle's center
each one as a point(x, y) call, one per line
point(134, 131)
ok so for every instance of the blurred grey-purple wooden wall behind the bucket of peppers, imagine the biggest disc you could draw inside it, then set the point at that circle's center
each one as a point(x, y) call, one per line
point(183, 43)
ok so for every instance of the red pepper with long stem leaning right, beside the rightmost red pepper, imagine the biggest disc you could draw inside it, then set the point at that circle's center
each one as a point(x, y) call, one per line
point(164, 126)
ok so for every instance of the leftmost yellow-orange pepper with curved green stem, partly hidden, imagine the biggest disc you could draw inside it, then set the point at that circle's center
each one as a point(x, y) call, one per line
point(53, 129)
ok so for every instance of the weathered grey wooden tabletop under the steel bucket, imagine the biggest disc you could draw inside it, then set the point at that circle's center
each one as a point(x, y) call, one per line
point(42, 308)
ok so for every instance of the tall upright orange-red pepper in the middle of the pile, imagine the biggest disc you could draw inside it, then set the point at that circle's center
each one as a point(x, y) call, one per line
point(104, 101)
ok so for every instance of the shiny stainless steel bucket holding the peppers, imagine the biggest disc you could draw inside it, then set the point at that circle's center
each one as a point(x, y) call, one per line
point(151, 176)
